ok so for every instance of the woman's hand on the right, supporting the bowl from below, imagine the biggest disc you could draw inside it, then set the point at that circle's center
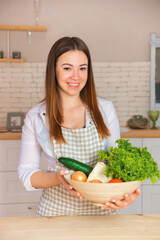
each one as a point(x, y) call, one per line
point(116, 204)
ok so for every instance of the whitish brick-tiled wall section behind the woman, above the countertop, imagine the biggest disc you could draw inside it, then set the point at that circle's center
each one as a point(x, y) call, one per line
point(125, 84)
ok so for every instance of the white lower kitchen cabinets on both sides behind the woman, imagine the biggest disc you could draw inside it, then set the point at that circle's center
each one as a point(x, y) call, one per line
point(16, 201)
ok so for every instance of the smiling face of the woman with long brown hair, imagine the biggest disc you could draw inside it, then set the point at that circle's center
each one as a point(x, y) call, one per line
point(72, 72)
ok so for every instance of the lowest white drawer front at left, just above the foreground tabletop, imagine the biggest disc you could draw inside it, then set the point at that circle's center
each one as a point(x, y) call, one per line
point(18, 210)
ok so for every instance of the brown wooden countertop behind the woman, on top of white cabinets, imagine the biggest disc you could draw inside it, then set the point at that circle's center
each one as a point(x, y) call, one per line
point(133, 133)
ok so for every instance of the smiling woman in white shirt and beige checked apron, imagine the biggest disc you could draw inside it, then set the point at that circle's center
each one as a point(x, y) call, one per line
point(70, 122)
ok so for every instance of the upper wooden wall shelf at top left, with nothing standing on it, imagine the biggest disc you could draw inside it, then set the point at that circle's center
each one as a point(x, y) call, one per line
point(33, 28)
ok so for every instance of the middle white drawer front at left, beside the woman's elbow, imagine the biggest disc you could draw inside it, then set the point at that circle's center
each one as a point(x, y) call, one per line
point(12, 191)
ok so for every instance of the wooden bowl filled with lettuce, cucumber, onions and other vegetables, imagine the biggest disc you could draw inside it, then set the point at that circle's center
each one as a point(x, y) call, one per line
point(120, 170)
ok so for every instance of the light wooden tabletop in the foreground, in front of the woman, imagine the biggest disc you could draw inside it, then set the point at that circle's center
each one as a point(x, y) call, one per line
point(107, 227)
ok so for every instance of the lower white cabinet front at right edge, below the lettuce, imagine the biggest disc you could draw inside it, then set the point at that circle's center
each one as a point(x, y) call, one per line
point(151, 199)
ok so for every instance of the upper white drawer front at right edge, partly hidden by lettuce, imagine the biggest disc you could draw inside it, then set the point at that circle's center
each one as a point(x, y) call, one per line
point(153, 145)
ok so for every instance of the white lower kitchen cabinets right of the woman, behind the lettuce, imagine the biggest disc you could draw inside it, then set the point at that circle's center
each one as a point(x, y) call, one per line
point(148, 201)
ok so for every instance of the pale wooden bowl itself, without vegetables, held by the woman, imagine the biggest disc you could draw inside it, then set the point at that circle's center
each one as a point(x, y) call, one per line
point(99, 193)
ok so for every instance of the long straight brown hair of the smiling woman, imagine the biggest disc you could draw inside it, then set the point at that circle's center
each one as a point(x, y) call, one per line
point(88, 93)
